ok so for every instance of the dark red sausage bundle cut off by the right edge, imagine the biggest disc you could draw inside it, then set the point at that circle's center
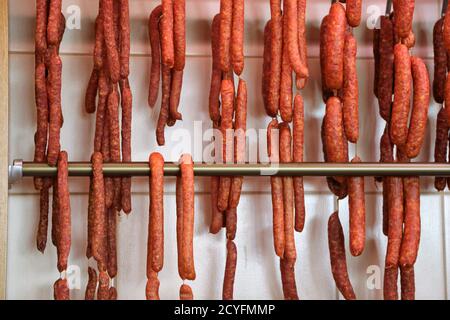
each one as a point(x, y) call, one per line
point(441, 92)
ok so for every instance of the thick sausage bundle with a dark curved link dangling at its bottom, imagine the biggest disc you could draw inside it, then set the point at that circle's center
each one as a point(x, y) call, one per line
point(338, 49)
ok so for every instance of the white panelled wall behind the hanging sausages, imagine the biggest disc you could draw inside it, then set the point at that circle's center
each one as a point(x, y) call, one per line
point(31, 275)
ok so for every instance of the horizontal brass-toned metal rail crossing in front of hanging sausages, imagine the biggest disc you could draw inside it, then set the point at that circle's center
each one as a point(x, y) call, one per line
point(30, 169)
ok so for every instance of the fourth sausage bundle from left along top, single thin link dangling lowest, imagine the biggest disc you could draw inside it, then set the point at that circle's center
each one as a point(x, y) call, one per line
point(228, 113)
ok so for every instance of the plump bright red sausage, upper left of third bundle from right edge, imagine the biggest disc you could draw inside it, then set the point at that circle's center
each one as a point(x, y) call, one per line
point(334, 47)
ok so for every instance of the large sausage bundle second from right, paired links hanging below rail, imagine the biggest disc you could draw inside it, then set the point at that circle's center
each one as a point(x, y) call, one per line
point(398, 75)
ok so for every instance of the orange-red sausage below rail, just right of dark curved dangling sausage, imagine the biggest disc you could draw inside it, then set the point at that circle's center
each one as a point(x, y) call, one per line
point(357, 209)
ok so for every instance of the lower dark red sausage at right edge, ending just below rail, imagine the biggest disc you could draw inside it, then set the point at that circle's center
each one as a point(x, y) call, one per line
point(441, 146)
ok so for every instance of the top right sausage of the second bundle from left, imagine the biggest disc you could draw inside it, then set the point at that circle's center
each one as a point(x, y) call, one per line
point(124, 30)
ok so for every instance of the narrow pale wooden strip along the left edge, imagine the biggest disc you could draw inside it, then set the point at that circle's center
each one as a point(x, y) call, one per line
point(3, 143)
